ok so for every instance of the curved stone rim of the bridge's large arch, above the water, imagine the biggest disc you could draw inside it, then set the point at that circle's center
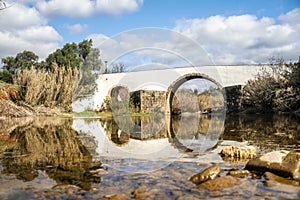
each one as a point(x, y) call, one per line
point(177, 83)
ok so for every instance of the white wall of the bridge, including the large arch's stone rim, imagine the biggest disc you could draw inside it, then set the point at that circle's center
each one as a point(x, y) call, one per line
point(168, 80)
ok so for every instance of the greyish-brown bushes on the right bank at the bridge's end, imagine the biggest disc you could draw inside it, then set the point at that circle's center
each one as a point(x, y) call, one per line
point(275, 90)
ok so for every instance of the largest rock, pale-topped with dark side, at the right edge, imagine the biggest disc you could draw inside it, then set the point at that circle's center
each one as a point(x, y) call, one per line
point(282, 163)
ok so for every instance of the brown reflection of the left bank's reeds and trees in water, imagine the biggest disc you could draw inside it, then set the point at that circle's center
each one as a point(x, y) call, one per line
point(53, 148)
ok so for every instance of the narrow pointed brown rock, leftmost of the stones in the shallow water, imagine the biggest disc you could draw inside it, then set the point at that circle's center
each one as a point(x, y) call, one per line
point(209, 173)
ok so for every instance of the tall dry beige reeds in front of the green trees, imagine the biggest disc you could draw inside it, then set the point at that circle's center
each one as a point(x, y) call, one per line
point(49, 88)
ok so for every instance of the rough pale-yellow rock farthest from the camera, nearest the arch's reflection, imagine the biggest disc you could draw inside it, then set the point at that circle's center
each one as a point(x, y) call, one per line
point(246, 152)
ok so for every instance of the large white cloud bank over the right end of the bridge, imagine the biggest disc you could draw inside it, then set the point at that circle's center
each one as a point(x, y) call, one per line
point(245, 38)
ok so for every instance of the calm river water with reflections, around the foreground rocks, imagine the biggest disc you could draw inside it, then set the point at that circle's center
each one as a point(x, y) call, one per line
point(148, 157)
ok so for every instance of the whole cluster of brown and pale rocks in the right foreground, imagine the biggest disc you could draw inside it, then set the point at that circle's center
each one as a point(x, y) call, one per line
point(277, 167)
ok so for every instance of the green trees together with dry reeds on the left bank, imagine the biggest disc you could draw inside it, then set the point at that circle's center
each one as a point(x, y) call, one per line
point(65, 75)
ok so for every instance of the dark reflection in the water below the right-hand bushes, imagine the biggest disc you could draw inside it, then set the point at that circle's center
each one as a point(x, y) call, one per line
point(264, 131)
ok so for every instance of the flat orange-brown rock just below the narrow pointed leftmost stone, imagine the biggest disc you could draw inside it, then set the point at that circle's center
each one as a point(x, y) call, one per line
point(220, 183)
